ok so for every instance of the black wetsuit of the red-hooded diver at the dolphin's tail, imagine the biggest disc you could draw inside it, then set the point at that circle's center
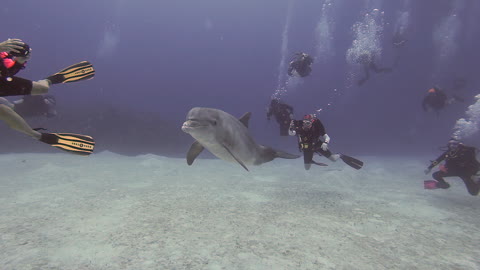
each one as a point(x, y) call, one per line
point(309, 140)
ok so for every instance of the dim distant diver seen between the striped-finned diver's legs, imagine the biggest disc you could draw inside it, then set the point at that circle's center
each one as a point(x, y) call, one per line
point(32, 106)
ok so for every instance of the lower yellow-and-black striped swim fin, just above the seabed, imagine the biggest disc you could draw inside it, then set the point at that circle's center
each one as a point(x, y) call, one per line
point(73, 143)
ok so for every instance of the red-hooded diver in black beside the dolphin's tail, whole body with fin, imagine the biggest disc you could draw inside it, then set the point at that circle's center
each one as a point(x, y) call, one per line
point(309, 130)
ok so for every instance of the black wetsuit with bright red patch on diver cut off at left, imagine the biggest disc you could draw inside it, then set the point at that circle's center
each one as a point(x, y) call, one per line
point(11, 85)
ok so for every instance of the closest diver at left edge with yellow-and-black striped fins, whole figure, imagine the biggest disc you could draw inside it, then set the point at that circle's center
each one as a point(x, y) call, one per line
point(14, 54)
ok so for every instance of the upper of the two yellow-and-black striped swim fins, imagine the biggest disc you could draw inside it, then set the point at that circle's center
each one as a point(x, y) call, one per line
point(78, 72)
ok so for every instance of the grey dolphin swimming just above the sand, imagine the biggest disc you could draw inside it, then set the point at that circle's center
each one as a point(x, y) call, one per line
point(227, 138)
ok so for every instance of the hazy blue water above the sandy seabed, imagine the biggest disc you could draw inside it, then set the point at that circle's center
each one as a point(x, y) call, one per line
point(156, 60)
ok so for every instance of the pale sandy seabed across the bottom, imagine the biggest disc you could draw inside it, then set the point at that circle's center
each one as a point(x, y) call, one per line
point(107, 211)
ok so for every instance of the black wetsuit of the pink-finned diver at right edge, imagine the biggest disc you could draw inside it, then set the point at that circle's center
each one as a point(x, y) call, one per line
point(462, 163)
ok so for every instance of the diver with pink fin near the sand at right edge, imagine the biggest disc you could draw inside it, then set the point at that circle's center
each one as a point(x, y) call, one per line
point(460, 161)
